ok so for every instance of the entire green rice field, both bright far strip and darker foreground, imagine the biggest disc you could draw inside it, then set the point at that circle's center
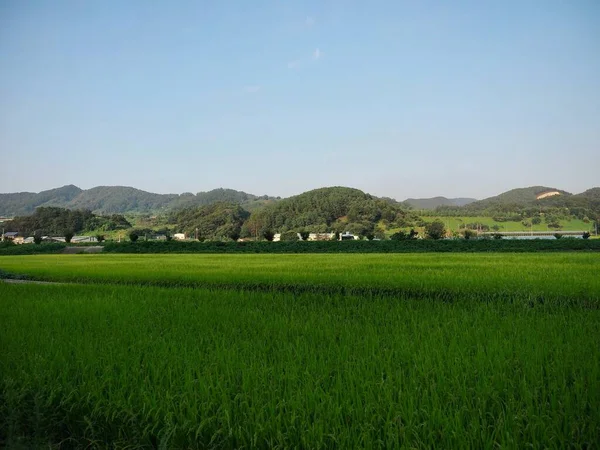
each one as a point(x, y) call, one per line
point(305, 351)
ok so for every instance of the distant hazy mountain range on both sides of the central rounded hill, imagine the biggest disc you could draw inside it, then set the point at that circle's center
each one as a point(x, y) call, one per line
point(122, 199)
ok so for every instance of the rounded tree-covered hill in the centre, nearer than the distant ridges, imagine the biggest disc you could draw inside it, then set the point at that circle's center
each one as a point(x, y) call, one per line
point(328, 209)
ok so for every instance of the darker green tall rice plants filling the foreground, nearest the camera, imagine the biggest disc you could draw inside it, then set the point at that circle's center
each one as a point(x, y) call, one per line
point(143, 367)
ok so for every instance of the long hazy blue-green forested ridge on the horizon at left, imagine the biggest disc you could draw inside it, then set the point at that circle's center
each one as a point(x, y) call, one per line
point(120, 199)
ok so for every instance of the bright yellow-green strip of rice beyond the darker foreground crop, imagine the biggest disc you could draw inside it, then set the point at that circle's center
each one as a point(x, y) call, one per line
point(567, 277)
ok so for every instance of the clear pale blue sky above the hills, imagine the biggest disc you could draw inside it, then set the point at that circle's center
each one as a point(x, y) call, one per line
point(397, 98)
